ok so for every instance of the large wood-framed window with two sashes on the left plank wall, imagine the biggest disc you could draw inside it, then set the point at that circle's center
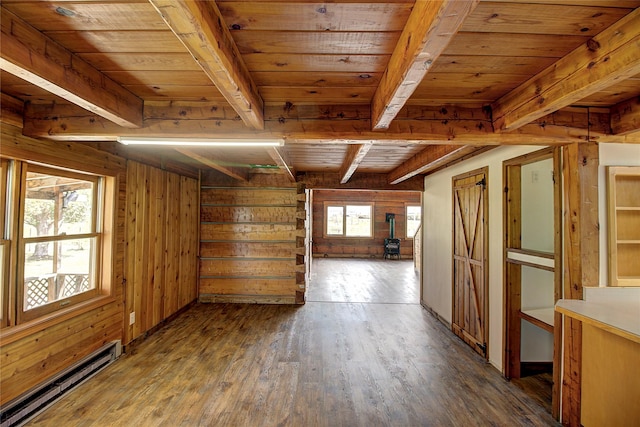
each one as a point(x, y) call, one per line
point(60, 240)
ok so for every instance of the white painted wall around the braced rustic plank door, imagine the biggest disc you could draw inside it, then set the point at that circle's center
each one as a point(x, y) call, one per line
point(437, 233)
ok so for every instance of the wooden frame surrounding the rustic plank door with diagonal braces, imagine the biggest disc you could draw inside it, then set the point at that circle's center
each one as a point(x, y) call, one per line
point(485, 254)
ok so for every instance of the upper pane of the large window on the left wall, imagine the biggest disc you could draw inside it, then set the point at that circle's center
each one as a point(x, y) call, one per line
point(57, 205)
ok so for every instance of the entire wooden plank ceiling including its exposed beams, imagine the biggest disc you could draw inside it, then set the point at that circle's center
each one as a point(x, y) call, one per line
point(398, 88)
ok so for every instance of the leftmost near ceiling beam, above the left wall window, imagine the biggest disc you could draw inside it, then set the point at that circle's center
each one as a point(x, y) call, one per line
point(27, 53)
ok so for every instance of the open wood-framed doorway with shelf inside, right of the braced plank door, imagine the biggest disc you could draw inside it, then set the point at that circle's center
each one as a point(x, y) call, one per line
point(533, 268)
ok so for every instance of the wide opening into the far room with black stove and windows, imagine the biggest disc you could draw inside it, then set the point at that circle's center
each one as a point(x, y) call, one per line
point(349, 230)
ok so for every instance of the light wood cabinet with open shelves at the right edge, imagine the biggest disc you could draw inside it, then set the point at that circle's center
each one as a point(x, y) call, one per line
point(623, 185)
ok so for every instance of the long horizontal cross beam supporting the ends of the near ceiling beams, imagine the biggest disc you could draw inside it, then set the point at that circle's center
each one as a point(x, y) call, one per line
point(434, 125)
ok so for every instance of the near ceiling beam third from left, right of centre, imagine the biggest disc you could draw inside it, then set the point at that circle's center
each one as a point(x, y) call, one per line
point(429, 29)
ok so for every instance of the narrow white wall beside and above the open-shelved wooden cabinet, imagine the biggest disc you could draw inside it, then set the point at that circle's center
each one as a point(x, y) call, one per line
point(611, 155)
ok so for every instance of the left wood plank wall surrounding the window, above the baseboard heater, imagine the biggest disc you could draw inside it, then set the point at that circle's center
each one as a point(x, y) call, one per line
point(162, 254)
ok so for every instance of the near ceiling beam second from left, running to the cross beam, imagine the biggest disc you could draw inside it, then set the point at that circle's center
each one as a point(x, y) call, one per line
point(201, 28)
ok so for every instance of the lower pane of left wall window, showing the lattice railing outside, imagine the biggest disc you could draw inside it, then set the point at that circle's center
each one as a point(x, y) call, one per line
point(67, 271)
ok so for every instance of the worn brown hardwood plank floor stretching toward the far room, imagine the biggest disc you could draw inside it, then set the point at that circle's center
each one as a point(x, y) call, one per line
point(348, 363)
